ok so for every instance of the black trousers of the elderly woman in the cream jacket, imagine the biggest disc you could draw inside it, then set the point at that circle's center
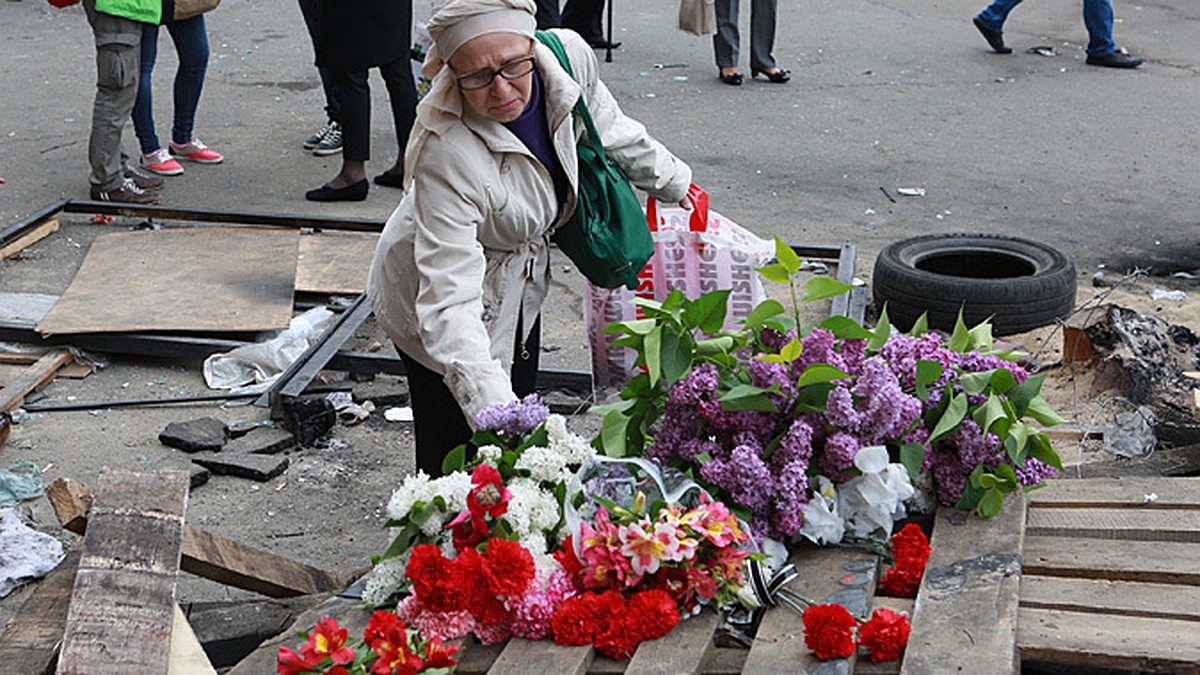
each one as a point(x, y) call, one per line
point(439, 423)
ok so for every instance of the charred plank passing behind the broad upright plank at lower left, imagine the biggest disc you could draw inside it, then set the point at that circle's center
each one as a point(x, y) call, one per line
point(211, 555)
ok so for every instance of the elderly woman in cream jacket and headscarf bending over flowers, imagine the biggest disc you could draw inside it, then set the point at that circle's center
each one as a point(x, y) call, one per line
point(463, 267)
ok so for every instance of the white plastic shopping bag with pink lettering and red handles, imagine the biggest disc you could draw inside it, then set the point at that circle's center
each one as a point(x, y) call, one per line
point(695, 252)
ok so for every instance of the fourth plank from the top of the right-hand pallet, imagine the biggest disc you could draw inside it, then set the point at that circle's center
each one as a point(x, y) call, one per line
point(1111, 598)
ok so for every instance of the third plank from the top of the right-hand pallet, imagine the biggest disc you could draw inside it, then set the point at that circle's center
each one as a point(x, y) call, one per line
point(1156, 563)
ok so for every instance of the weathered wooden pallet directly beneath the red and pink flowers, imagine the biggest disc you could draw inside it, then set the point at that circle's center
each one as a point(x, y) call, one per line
point(965, 622)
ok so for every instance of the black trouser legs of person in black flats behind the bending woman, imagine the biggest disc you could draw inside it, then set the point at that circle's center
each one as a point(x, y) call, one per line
point(356, 99)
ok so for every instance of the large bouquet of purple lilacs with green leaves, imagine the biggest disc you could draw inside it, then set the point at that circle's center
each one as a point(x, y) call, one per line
point(775, 419)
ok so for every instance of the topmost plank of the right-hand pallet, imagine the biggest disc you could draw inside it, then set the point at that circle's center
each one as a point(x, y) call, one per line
point(1148, 493)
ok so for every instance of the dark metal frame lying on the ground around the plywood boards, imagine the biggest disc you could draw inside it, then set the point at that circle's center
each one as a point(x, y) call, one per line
point(326, 353)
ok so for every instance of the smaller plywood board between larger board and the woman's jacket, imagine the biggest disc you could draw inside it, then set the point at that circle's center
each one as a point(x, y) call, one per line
point(335, 262)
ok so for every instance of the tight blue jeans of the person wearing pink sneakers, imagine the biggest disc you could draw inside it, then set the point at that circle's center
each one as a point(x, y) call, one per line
point(191, 41)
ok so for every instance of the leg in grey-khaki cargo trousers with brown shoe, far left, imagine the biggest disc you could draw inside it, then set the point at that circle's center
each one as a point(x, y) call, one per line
point(118, 45)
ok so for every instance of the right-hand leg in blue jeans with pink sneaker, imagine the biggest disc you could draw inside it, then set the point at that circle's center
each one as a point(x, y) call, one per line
point(191, 39)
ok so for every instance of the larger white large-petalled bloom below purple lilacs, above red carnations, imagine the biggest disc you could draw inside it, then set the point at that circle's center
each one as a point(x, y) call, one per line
point(874, 500)
